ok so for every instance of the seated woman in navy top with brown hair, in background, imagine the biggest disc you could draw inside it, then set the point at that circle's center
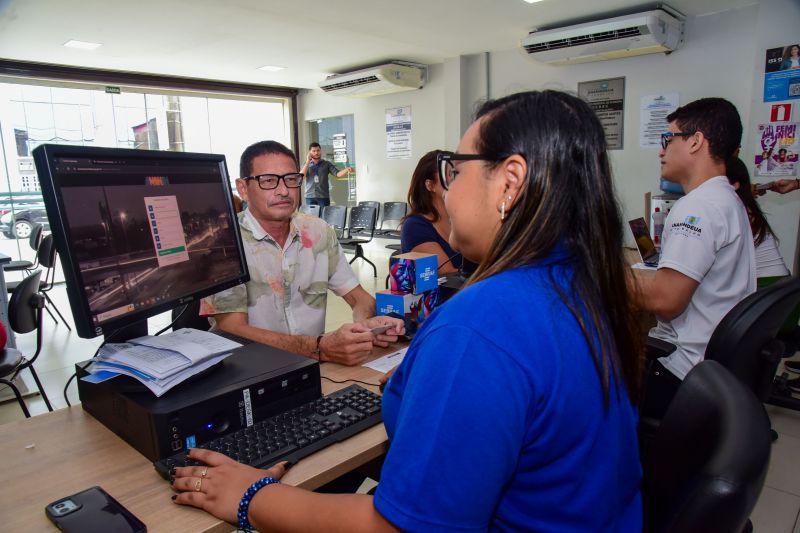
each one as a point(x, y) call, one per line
point(427, 226)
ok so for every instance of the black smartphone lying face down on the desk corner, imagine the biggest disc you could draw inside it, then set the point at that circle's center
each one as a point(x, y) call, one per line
point(93, 511)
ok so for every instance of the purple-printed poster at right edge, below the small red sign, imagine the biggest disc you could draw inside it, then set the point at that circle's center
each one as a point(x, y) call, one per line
point(778, 151)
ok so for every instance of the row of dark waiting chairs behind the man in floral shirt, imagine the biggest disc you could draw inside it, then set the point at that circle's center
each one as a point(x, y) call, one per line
point(361, 226)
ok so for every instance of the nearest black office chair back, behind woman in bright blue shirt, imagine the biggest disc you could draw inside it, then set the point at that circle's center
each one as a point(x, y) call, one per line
point(706, 466)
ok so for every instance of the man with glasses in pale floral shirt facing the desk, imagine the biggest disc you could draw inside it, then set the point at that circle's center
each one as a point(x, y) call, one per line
point(293, 259)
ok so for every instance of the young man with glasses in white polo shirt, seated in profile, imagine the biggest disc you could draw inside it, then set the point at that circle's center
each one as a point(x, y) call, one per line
point(707, 262)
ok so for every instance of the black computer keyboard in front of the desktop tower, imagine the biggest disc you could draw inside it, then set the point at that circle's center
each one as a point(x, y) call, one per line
point(293, 434)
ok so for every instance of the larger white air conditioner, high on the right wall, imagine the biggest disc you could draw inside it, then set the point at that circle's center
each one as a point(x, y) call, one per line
point(650, 32)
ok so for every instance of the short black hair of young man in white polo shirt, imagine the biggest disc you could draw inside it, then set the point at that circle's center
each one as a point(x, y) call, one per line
point(719, 121)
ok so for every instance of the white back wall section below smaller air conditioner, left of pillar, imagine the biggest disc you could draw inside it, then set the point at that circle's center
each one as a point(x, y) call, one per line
point(379, 178)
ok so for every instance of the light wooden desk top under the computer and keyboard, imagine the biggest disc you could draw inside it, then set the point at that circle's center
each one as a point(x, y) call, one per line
point(57, 454)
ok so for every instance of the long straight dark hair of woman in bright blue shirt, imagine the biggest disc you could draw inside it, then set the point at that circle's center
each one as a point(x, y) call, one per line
point(568, 200)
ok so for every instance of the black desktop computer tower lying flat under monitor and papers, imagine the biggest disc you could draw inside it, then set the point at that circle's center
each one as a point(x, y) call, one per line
point(254, 383)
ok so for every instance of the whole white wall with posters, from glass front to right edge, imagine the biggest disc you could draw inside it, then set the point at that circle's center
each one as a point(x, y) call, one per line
point(723, 56)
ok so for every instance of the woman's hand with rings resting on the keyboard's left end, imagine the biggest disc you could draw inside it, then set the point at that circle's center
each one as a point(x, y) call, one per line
point(218, 487)
